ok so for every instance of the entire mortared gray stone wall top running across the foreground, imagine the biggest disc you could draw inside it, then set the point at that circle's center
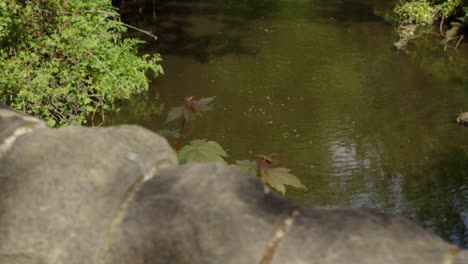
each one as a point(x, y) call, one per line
point(116, 195)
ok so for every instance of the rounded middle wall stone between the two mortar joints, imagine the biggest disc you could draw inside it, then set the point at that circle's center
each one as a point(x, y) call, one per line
point(199, 214)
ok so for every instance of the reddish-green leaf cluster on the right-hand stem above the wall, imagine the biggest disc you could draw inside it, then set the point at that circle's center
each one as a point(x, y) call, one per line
point(276, 178)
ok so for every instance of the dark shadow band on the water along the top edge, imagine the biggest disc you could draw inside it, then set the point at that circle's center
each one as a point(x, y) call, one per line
point(178, 22)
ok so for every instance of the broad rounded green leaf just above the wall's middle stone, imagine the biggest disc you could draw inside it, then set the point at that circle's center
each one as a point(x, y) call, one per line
point(200, 150)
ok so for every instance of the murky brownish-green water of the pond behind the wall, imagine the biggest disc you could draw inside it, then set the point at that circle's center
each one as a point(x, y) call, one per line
point(318, 83)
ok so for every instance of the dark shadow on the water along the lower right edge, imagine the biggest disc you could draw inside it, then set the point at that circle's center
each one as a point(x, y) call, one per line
point(439, 201)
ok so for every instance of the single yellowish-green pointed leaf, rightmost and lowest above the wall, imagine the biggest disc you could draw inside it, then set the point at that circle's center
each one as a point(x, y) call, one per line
point(278, 178)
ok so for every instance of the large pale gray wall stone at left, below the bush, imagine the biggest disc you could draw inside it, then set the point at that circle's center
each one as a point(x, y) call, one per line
point(62, 189)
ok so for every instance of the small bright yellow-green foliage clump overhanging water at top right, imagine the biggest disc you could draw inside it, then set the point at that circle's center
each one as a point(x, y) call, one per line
point(418, 12)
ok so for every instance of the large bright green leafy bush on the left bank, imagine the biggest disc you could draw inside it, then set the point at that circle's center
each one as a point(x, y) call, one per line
point(62, 60)
